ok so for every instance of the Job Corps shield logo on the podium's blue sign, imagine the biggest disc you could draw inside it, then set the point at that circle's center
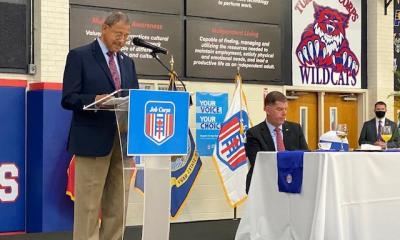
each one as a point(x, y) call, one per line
point(159, 121)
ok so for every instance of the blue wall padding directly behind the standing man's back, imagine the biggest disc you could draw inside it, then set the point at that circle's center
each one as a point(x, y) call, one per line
point(48, 207)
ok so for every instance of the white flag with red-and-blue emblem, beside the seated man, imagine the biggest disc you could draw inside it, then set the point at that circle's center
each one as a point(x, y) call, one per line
point(229, 153)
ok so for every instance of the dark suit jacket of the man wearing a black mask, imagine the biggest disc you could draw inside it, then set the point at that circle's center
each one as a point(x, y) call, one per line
point(369, 133)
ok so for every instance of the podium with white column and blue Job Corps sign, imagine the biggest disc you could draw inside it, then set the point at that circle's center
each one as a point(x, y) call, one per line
point(153, 125)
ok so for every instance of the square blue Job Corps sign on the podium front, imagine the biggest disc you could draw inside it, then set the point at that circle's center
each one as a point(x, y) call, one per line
point(157, 122)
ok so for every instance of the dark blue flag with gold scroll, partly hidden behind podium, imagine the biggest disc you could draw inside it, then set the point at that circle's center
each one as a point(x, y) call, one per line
point(184, 170)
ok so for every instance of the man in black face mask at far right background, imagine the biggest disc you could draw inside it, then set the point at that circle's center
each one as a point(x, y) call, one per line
point(371, 131)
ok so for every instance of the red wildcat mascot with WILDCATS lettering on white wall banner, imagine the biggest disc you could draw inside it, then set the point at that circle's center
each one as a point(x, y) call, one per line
point(324, 52)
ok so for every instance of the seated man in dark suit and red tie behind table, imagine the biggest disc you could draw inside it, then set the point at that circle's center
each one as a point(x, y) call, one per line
point(263, 137)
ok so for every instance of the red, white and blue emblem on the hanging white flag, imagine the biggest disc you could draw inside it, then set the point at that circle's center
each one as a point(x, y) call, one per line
point(230, 146)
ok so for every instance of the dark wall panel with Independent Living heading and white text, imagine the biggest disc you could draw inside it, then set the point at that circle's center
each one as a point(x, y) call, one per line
point(214, 49)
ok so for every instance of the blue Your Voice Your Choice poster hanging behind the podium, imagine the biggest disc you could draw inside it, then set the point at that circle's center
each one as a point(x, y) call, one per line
point(210, 112)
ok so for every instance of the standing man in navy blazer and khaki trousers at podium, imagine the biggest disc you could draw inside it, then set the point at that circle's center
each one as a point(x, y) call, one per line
point(91, 72)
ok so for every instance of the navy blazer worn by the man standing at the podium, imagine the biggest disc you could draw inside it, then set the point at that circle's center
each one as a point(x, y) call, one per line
point(87, 75)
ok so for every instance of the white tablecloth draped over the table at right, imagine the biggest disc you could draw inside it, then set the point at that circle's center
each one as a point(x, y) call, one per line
point(345, 196)
